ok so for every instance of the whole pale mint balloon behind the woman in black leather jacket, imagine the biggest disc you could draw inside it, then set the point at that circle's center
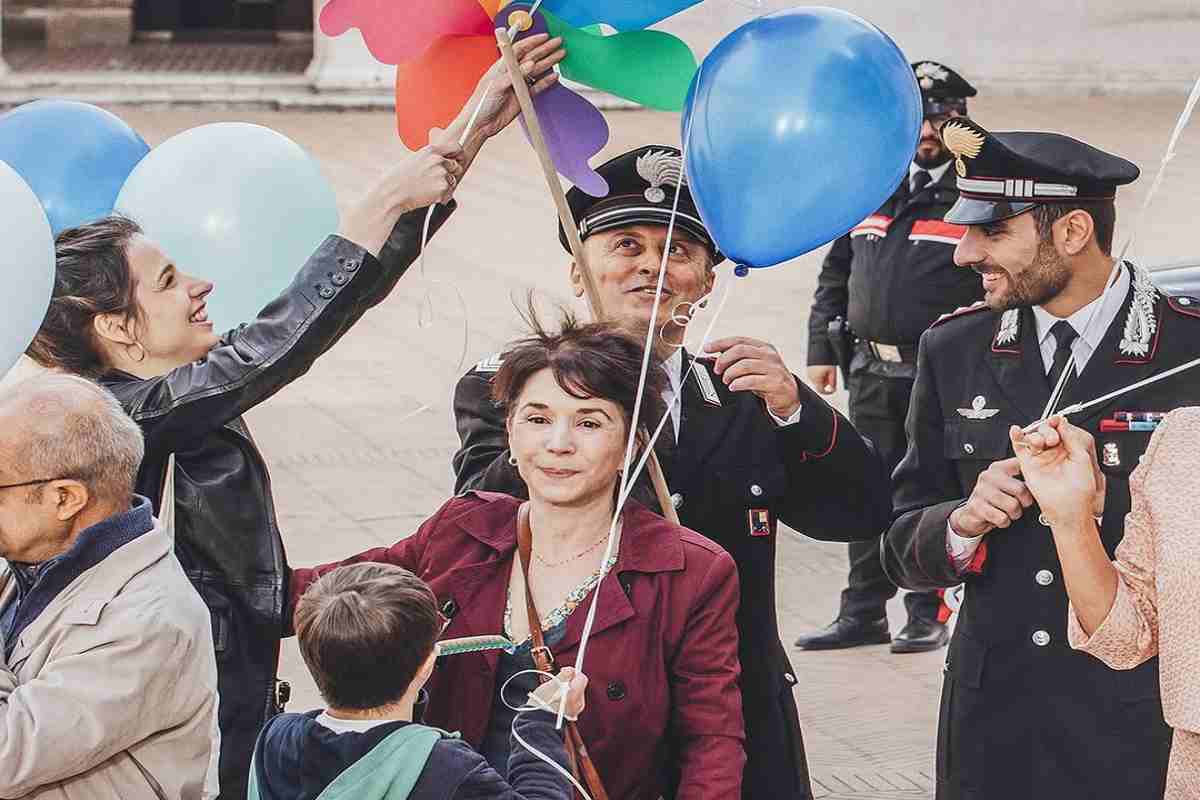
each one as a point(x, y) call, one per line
point(236, 203)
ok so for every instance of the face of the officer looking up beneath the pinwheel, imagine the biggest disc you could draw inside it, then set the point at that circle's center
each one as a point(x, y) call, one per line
point(626, 263)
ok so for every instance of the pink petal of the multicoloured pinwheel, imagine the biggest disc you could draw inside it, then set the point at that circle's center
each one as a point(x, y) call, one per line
point(398, 32)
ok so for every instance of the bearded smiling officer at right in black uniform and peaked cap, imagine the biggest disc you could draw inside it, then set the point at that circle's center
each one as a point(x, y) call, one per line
point(1024, 715)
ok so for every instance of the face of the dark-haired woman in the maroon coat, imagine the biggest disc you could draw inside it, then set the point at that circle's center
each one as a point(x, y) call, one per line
point(568, 449)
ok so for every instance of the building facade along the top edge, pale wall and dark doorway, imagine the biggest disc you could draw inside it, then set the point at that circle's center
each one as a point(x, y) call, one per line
point(1073, 46)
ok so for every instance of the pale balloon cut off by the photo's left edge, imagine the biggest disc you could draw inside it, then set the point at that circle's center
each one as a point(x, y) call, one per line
point(27, 267)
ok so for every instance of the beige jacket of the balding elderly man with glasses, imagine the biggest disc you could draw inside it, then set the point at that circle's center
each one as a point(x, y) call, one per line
point(111, 693)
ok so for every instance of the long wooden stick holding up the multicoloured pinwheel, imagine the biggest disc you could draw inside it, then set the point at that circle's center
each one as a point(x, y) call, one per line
point(573, 233)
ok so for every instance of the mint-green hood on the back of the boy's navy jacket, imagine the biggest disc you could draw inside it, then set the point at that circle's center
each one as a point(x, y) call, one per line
point(391, 771)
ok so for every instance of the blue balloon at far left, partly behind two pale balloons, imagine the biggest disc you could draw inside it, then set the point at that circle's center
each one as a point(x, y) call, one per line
point(75, 157)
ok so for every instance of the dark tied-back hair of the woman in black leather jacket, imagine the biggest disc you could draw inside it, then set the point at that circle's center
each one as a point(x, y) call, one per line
point(92, 278)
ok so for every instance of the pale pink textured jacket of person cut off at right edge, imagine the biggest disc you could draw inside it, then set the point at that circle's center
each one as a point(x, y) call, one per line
point(1157, 609)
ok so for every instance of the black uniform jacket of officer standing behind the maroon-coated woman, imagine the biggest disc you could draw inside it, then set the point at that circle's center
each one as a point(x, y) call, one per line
point(735, 474)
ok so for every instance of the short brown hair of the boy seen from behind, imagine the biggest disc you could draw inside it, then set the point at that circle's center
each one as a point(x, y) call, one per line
point(365, 631)
